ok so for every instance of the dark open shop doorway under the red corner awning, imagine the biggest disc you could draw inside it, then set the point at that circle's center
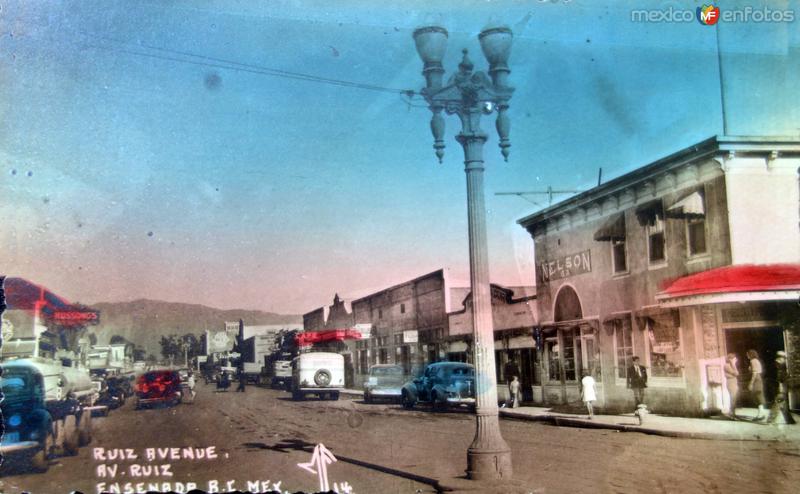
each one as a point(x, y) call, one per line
point(766, 342)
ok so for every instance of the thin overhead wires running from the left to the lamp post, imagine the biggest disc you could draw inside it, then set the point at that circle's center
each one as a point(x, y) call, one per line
point(208, 61)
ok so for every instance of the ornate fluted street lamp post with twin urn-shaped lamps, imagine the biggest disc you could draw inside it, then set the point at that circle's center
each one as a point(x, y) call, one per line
point(470, 95)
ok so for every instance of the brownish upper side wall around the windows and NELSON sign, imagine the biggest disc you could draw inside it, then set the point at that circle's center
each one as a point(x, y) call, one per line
point(602, 292)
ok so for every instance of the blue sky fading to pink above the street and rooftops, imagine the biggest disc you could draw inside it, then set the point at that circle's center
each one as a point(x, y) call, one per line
point(125, 175)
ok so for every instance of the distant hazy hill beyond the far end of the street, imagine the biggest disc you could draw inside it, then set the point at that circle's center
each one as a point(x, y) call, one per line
point(143, 322)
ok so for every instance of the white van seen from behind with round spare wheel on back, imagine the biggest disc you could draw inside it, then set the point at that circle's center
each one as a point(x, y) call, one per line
point(318, 373)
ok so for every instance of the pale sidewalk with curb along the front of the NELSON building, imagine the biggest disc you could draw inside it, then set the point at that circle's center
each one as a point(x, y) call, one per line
point(719, 427)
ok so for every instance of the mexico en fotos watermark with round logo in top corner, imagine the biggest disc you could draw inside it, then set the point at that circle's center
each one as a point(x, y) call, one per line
point(710, 15)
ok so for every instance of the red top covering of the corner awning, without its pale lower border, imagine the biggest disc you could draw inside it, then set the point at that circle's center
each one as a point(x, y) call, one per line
point(736, 279)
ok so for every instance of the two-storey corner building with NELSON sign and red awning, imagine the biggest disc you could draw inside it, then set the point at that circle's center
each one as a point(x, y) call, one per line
point(664, 263)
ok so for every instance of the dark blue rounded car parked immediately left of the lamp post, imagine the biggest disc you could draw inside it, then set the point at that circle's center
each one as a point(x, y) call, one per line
point(442, 384)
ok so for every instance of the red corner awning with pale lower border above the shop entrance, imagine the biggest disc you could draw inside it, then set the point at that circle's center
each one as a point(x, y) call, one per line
point(744, 283)
